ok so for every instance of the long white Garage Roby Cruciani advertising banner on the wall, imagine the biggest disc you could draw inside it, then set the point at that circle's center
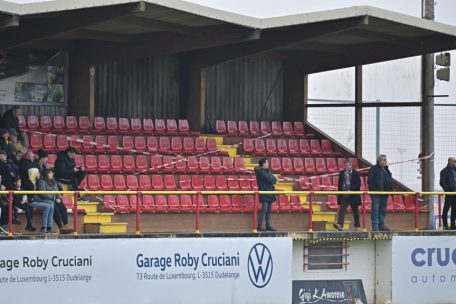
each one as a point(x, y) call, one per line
point(194, 270)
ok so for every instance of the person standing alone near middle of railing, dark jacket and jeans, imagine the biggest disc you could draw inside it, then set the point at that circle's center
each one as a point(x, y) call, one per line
point(266, 182)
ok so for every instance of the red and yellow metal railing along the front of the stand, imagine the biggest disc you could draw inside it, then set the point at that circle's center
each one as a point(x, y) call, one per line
point(309, 194)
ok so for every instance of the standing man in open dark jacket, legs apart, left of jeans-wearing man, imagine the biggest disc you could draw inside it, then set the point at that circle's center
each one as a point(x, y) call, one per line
point(349, 180)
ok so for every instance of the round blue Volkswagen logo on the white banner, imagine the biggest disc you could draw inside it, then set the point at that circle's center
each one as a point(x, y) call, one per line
point(259, 265)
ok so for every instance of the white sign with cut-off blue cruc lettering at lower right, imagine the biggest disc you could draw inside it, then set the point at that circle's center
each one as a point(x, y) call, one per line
point(424, 269)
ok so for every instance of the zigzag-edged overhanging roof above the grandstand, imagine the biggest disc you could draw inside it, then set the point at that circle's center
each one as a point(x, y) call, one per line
point(359, 34)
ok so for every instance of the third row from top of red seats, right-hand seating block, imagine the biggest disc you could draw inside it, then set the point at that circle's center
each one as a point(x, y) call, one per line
point(307, 165)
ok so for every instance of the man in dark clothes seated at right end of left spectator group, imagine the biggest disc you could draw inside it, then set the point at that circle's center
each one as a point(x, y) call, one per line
point(66, 171)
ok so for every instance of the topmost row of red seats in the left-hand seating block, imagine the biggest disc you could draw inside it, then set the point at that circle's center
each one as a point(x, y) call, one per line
point(73, 124)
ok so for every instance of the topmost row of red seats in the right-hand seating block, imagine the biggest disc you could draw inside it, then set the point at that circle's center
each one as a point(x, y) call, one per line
point(255, 128)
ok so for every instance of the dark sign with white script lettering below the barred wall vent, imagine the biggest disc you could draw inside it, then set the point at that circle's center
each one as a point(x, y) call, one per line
point(328, 292)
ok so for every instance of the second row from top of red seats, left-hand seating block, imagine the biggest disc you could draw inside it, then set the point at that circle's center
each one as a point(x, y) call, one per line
point(111, 144)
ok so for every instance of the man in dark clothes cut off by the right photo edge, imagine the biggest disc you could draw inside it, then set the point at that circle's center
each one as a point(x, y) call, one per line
point(448, 184)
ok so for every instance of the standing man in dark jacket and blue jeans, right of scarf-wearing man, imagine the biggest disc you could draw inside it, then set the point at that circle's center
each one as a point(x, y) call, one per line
point(380, 179)
